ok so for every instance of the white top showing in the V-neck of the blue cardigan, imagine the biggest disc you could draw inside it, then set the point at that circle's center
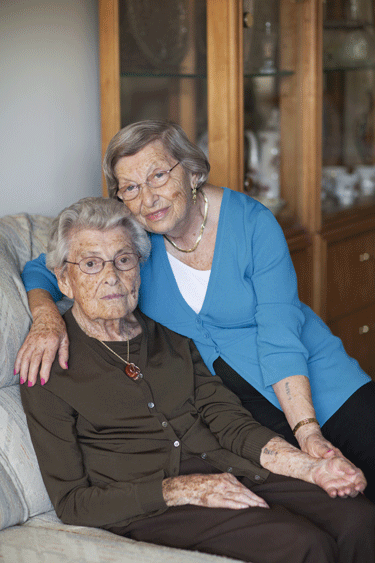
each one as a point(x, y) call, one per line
point(192, 283)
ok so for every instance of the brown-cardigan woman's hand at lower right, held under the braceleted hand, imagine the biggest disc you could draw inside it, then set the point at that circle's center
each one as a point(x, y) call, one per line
point(338, 477)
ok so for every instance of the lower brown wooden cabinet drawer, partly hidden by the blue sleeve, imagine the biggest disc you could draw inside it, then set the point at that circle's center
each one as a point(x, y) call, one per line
point(357, 332)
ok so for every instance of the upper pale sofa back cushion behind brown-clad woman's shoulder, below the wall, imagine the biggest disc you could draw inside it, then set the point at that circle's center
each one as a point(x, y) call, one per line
point(22, 238)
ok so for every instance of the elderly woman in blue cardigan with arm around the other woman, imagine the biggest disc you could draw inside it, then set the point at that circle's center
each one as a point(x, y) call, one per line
point(220, 273)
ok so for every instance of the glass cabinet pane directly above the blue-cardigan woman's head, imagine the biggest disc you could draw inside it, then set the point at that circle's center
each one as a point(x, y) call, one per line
point(162, 51)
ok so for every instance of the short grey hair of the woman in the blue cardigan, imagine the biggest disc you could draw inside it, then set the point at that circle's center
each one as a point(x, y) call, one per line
point(131, 139)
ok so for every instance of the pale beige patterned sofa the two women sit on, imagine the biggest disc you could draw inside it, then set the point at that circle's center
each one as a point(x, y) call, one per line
point(30, 530)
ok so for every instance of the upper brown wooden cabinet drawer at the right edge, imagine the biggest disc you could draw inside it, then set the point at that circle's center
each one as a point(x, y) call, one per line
point(350, 275)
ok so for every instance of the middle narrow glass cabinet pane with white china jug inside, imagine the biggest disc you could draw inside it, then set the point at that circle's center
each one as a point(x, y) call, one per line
point(270, 55)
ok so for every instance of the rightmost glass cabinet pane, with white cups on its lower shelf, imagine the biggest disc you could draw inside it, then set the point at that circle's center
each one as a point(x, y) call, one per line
point(348, 147)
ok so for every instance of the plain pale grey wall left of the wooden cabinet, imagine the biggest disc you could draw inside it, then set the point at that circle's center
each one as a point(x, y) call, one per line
point(49, 104)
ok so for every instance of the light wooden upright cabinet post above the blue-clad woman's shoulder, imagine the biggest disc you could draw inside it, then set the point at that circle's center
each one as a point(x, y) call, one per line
point(225, 92)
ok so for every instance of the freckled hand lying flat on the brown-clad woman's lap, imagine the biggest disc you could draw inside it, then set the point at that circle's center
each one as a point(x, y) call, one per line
point(221, 490)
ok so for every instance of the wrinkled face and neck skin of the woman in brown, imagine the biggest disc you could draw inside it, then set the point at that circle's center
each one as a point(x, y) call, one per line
point(103, 302)
